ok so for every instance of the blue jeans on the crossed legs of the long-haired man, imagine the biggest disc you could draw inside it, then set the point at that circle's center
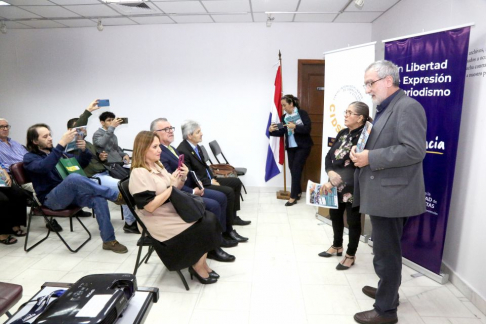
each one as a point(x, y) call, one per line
point(80, 191)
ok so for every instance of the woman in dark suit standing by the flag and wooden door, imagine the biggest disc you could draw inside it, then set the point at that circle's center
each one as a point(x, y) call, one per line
point(296, 127)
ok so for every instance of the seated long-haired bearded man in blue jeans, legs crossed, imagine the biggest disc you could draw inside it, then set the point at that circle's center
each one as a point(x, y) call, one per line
point(57, 193)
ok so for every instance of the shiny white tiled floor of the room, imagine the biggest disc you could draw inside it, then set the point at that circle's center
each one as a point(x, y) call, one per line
point(277, 276)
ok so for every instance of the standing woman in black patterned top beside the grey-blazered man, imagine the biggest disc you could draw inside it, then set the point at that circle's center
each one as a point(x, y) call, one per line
point(340, 171)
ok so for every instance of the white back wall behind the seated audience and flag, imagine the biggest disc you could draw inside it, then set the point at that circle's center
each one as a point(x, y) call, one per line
point(220, 75)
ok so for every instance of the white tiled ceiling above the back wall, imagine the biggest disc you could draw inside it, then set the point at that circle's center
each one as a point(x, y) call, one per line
point(40, 14)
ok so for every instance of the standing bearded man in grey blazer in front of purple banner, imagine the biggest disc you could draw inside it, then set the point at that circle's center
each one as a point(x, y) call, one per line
point(389, 182)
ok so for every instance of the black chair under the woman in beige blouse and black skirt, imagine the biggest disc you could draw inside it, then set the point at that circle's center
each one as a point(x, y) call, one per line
point(145, 239)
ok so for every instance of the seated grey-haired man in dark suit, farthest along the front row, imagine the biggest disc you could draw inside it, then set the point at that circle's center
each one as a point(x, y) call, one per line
point(194, 159)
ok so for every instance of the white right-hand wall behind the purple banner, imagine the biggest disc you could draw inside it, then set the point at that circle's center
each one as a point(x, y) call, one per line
point(467, 222)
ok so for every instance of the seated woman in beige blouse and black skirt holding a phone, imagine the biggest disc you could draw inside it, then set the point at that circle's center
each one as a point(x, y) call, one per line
point(182, 244)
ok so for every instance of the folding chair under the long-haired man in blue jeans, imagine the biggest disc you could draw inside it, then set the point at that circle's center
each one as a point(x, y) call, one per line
point(18, 173)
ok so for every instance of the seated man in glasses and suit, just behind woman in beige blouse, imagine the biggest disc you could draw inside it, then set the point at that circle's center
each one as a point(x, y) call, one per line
point(215, 201)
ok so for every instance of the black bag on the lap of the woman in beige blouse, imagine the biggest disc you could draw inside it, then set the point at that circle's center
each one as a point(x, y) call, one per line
point(190, 207)
